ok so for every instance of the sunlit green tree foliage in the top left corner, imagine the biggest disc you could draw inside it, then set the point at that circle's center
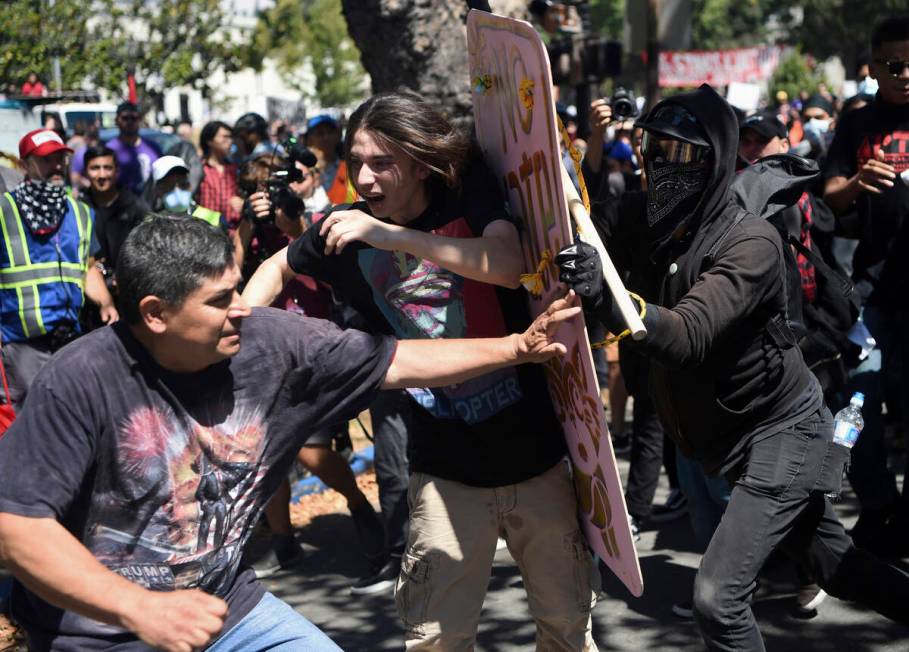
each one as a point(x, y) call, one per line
point(167, 43)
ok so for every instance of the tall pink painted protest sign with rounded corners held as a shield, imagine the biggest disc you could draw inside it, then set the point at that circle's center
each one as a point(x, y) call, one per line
point(516, 127)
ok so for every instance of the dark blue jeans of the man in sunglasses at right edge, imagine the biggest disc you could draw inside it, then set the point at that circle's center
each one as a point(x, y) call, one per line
point(874, 484)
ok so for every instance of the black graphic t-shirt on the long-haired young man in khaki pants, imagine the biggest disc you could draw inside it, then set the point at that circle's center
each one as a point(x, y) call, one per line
point(494, 430)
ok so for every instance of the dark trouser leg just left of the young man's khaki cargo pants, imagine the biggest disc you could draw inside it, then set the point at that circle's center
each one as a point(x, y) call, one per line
point(390, 424)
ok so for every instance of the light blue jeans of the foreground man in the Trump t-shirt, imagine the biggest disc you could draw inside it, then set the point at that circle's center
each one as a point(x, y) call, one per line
point(273, 625)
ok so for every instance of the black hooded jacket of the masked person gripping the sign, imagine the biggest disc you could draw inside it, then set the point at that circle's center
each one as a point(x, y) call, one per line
point(722, 362)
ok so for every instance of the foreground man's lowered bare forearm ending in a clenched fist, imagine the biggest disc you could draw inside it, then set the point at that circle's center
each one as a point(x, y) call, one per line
point(46, 558)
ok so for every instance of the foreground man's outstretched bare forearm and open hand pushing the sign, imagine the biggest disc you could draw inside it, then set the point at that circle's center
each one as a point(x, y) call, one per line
point(435, 363)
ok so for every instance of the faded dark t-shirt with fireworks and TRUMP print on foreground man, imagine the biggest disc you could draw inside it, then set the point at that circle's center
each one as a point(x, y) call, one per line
point(161, 475)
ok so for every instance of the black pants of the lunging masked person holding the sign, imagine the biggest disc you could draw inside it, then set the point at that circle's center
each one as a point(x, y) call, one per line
point(778, 501)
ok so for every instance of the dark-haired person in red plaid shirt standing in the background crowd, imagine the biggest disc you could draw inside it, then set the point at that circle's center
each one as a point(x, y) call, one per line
point(218, 190)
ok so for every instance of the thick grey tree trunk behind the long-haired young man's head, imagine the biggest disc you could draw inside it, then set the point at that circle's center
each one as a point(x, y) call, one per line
point(416, 44)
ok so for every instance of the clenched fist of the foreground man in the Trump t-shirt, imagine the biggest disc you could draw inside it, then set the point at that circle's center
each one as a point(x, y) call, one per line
point(177, 621)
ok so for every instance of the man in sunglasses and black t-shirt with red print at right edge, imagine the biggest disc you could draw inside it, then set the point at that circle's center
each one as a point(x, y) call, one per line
point(868, 155)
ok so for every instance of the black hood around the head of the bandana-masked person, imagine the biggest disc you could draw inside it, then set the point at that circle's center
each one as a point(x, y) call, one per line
point(718, 120)
